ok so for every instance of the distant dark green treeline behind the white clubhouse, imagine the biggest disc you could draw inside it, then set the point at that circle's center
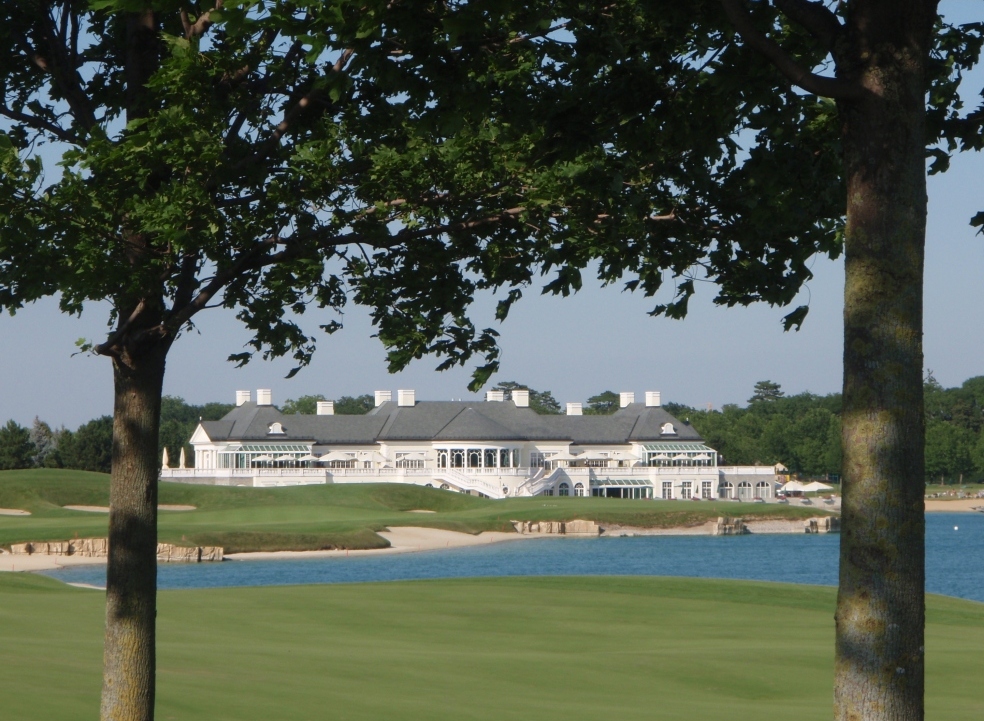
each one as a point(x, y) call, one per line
point(800, 431)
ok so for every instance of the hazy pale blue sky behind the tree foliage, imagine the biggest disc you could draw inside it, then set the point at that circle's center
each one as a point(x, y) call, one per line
point(599, 340)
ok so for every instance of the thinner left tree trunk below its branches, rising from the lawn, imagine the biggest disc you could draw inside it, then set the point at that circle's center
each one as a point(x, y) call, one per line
point(131, 577)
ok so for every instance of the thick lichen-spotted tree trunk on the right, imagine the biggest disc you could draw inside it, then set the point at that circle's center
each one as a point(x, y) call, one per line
point(881, 601)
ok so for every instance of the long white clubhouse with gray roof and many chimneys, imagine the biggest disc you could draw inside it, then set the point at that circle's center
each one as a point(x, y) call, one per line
point(497, 448)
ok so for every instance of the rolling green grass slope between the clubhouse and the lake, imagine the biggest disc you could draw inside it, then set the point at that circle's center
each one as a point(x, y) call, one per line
point(343, 516)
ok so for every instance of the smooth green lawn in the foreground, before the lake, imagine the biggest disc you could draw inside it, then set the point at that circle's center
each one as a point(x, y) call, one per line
point(508, 648)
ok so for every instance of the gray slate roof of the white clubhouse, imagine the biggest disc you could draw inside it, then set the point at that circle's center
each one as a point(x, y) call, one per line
point(450, 421)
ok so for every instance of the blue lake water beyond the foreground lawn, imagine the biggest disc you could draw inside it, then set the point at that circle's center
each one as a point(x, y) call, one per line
point(954, 561)
